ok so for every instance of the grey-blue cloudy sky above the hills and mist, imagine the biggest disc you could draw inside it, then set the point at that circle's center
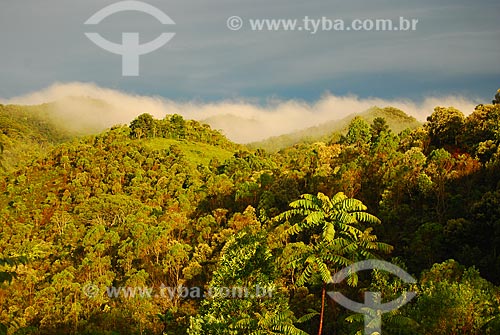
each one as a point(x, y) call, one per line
point(454, 55)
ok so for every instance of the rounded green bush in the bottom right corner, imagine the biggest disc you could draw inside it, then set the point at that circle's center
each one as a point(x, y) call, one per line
point(454, 300)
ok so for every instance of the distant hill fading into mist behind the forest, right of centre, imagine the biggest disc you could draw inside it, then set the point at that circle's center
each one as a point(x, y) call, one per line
point(396, 119)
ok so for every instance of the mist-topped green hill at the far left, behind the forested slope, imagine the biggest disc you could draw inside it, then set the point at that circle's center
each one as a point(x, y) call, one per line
point(29, 131)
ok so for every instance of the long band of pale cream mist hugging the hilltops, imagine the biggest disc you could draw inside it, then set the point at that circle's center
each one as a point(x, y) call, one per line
point(240, 120)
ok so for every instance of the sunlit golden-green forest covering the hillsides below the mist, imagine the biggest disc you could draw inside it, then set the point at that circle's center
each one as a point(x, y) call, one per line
point(145, 228)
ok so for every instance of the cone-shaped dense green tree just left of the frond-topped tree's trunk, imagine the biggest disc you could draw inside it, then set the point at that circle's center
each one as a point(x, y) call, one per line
point(256, 306)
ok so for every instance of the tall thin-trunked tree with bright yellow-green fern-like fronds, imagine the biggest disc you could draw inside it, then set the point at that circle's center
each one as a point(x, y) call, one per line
point(340, 242)
